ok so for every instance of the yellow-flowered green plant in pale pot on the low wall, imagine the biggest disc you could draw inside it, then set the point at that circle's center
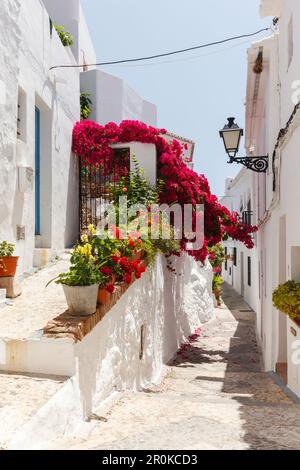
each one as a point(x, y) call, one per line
point(81, 283)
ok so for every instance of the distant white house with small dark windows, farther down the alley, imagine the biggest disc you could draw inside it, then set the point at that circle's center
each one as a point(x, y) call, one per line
point(240, 271)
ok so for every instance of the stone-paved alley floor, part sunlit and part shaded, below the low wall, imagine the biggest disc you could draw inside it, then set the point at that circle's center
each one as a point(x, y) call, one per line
point(215, 396)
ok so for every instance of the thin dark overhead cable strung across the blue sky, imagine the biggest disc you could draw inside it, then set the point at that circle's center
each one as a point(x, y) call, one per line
point(166, 54)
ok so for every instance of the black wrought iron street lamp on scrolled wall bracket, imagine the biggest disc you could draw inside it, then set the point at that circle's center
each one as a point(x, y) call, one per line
point(231, 135)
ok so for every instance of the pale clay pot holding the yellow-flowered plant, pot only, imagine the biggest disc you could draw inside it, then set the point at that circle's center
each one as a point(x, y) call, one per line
point(81, 300)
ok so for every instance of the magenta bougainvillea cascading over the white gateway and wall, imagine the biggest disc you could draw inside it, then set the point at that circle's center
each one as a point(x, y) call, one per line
point(182, 185)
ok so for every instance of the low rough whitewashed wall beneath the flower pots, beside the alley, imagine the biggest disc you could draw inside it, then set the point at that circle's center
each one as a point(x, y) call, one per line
point(110, 359)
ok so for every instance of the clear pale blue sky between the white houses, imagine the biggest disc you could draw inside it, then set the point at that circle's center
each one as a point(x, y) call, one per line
point(195, 92)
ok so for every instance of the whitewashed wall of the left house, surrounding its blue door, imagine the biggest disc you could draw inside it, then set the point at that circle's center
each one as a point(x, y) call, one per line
point(27, 51)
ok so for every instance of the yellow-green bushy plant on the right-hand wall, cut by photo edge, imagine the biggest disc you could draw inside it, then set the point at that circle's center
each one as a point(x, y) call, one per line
point(286, 298)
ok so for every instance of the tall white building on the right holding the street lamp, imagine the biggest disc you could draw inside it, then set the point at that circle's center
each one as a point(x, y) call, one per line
point(273, 128)
